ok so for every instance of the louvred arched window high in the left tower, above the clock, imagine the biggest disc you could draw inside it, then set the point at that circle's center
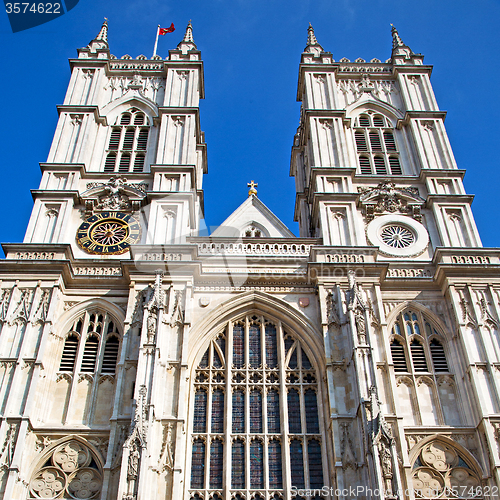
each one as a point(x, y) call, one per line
point(128, 143)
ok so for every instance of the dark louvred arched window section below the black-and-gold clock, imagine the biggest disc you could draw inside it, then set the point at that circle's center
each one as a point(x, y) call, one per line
point(92, 345)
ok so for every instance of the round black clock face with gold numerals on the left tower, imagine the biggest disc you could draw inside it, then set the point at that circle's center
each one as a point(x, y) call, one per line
point(108, 233)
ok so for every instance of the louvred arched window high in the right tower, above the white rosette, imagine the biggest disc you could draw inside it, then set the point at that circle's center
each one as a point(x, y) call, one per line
point(376, 145)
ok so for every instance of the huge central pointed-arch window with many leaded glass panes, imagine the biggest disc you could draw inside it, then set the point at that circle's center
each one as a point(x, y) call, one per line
point(255, 409)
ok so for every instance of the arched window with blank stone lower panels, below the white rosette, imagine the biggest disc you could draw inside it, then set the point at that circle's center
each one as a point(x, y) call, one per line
point(427, 391)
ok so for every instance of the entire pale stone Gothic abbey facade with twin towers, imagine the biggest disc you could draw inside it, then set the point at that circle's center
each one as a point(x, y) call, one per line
point(142, 361)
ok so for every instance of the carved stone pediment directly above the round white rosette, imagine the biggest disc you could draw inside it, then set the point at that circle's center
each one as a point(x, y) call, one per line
point(386, 197)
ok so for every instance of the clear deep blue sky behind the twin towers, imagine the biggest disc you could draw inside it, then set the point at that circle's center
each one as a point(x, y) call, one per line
point(251, 51)
